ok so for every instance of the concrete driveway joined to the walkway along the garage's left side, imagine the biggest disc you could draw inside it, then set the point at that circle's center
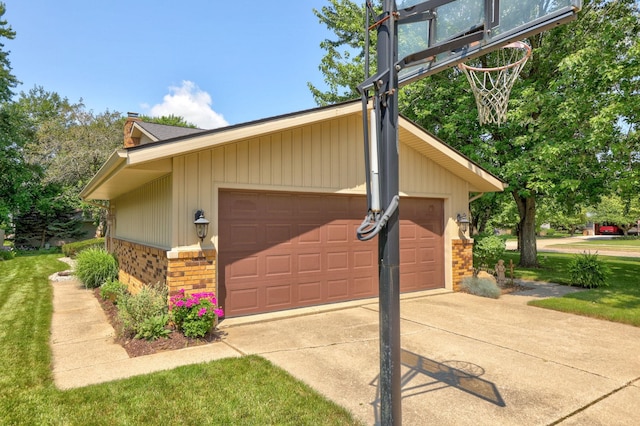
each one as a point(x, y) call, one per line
point(466, 360)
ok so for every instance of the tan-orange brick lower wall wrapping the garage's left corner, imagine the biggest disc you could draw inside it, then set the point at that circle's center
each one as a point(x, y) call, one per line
point(191, 270)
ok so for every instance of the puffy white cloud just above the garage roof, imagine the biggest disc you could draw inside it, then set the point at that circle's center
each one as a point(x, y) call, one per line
point(191, 103)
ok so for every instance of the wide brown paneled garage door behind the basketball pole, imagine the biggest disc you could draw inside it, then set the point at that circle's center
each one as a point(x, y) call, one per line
point(286, 250)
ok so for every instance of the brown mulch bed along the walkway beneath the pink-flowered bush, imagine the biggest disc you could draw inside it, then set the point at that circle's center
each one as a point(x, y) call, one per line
point(140, 347)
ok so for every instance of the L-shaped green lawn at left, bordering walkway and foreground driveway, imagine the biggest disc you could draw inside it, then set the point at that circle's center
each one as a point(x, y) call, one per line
point(239, 391)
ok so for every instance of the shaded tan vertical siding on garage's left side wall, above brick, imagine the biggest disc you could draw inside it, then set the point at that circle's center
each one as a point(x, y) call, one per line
point(144, 215)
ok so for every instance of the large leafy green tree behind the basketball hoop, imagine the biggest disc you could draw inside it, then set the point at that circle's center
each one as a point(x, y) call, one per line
point(579, 80)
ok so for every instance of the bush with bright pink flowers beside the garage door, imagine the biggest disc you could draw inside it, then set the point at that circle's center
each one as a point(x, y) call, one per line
point(194, 314)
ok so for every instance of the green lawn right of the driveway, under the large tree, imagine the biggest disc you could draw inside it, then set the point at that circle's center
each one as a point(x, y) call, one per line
point(619, 302)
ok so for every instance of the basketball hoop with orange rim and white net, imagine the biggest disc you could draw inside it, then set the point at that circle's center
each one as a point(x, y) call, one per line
point(492, 86)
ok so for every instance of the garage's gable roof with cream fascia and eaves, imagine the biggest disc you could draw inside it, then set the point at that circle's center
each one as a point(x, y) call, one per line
point(129, 168)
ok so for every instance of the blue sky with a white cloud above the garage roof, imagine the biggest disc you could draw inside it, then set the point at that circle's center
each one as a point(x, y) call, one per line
point(211, 61)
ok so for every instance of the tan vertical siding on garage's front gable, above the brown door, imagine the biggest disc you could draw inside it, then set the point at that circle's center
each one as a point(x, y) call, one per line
point(326, 156)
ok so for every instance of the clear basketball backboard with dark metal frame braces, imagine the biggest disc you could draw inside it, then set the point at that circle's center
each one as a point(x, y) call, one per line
point(438, 34)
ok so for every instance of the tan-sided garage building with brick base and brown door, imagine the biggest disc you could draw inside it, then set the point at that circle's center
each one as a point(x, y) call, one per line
point(284, 197)
